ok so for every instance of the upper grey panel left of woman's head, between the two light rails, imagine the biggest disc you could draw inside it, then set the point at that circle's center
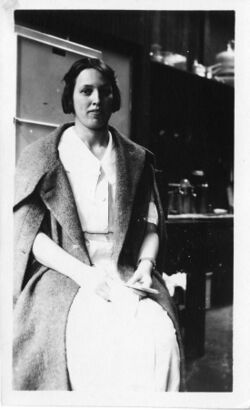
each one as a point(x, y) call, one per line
point(40, 76)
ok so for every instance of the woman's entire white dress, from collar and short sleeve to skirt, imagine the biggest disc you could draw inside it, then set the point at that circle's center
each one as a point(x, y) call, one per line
point(125, 344)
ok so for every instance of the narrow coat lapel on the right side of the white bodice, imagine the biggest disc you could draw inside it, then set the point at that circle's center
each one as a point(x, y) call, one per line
point(130, 160)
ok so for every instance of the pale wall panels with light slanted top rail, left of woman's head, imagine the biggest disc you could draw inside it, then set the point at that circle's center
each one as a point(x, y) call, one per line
point(42, 64)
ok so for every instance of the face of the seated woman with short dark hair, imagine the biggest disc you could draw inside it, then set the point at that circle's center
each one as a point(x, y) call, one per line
point(93, 99)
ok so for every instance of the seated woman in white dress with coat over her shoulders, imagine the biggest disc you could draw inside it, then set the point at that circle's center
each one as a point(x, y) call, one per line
point(91, 311)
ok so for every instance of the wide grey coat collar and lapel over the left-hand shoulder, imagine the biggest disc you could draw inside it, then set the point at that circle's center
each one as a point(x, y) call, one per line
point(54, 187)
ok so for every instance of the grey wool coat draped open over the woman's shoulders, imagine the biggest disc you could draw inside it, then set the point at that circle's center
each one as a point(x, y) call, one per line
point(42, 297)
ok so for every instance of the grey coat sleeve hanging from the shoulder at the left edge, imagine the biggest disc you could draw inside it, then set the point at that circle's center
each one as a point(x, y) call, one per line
point(28, 208)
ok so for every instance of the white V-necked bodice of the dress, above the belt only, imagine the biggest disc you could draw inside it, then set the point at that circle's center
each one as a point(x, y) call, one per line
point(93, 181)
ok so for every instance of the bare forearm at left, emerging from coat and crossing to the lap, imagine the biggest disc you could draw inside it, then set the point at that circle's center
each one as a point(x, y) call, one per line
point(48, 253)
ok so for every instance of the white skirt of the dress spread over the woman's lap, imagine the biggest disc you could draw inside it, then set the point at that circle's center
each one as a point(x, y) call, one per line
point(128, 344)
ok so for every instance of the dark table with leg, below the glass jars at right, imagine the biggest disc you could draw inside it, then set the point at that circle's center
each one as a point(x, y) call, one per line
point(201, 247)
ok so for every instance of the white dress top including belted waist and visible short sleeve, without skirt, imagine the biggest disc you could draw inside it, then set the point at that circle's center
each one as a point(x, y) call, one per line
point(93, 183)
